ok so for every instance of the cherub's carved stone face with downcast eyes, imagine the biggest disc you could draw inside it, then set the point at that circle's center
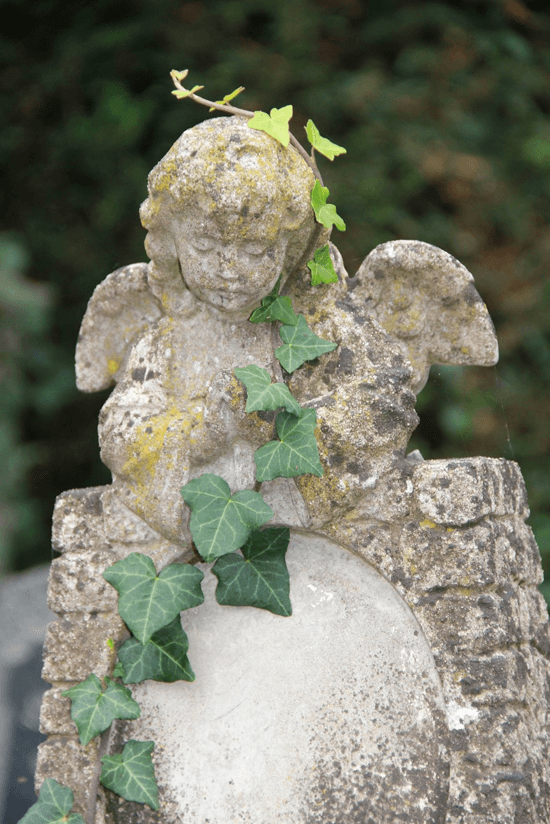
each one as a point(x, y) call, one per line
point(230, 269)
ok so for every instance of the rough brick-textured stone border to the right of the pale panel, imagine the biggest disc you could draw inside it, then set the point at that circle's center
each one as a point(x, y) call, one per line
point(471, 580)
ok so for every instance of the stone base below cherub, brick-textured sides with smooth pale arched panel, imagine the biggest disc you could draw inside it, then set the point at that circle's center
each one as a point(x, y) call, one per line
point(423, 673)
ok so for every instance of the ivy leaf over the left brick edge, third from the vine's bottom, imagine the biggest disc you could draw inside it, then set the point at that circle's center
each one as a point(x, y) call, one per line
point(93, 710)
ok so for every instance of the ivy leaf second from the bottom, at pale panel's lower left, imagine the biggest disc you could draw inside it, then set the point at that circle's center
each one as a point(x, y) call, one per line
point(131, 774)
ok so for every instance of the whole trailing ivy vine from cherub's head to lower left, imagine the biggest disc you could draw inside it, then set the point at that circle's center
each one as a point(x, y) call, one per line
point(249, 562)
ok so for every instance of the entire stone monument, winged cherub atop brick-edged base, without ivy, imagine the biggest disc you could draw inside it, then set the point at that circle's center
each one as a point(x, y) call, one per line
point(412, 681)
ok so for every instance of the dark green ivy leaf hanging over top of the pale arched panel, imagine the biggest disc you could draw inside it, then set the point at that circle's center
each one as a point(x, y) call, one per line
point(258, 577)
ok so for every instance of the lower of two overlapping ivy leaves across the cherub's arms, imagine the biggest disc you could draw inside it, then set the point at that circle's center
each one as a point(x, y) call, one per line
point(295, 453)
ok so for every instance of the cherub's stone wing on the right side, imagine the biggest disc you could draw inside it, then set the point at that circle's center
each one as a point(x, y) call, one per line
point(426, 300)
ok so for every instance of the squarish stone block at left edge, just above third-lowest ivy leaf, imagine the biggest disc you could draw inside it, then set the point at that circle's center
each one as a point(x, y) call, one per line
point(76, 645)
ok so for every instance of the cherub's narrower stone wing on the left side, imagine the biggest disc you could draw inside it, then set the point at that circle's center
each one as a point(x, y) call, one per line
point(120, 310)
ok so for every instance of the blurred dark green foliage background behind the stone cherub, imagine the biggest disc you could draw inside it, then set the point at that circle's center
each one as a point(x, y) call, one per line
point(443, 108)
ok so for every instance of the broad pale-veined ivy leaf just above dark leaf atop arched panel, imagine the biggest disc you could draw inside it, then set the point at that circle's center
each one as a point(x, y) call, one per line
point(221, 522)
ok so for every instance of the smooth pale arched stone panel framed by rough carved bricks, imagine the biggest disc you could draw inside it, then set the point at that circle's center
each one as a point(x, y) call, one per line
point(334, 714)
